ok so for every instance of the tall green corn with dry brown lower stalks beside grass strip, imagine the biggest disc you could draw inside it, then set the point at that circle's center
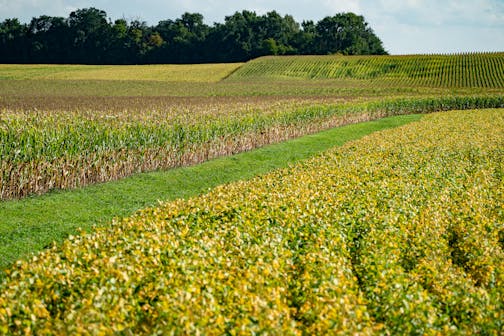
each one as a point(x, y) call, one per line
point(41, 151)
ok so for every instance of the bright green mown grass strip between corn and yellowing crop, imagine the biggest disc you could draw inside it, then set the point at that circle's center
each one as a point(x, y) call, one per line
point(30, 224)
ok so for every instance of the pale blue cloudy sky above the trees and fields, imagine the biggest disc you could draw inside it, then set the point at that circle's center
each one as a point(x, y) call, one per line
point(404, 26)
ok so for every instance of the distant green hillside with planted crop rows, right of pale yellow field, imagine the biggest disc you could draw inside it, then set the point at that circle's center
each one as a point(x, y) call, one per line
point(463, 70)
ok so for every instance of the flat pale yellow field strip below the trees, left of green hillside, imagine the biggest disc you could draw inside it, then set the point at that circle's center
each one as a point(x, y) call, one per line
point(166, 72)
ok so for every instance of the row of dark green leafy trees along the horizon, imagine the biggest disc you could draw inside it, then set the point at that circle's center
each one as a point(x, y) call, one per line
point(87, 36)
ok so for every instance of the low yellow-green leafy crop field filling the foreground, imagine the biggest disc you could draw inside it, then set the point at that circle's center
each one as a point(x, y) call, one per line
point(398, 233)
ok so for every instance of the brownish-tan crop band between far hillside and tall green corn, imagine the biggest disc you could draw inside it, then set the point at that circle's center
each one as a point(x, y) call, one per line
point(41, 91)
